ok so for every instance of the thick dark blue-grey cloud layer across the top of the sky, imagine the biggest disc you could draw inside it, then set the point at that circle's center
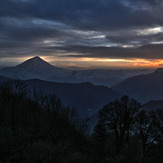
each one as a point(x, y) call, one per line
point(84, 14)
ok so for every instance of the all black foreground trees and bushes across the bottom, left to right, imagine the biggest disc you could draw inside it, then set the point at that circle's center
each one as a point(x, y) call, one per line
point(38, 128)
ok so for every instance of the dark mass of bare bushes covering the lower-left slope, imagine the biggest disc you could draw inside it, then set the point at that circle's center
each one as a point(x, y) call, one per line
point(31, 132)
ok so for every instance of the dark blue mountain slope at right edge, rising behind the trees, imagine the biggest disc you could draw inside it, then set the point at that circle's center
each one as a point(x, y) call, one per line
point(143, 87)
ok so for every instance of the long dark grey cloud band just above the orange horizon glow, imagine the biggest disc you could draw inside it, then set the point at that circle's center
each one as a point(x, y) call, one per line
point(151, 51)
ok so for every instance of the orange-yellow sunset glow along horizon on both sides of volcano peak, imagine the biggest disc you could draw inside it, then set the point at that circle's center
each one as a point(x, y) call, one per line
point(93, 62)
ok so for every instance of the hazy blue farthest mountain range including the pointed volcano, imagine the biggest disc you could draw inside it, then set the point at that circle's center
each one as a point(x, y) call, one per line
point(37, 68)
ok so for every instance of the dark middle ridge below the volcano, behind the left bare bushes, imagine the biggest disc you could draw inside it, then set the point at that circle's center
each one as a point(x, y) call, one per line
point(85, 97)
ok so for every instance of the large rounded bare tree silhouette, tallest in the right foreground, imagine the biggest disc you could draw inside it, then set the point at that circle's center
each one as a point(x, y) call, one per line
point(118, 119)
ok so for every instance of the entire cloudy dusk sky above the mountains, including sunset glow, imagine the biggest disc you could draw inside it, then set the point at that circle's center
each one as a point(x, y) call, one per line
point(83, 34)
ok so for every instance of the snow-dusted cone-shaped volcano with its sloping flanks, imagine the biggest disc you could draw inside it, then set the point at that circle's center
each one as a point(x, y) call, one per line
point(32, 69)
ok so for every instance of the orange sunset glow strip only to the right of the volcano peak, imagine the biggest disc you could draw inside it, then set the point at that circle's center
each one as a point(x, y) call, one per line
point(129, 63)
